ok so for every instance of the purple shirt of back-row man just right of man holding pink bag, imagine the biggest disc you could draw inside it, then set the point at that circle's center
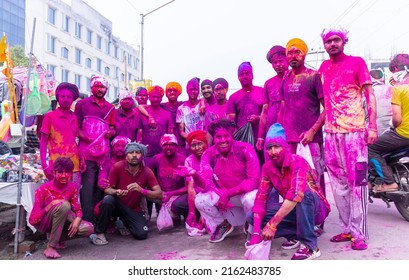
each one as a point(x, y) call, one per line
point(127, 125)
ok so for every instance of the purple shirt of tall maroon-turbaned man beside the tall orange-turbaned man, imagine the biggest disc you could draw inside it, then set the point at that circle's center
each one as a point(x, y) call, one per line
point(272, 94)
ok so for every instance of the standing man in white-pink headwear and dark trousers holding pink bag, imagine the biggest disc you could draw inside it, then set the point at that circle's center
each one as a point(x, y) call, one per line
point(96, 118)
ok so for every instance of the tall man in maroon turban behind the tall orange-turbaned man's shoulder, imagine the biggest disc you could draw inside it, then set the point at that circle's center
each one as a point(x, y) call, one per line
point(277, 57)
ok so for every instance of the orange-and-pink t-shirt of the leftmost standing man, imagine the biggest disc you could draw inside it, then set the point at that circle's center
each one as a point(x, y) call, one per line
point(62, 131)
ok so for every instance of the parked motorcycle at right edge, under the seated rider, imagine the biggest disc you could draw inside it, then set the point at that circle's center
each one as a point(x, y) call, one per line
point(399, 162)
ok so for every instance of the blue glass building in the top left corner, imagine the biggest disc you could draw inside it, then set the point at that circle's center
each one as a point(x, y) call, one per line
point(12, 21)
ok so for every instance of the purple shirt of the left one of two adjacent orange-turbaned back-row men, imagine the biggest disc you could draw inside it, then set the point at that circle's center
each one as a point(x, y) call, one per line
point(152, 136)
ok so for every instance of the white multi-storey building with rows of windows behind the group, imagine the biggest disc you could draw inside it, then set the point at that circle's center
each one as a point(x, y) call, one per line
point(75, 42)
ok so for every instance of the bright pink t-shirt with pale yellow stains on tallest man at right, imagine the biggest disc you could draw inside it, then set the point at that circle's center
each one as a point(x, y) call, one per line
point(342, 83)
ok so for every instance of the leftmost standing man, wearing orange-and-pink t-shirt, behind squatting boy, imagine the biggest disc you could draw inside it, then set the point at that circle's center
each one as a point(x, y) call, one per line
point(59, 131)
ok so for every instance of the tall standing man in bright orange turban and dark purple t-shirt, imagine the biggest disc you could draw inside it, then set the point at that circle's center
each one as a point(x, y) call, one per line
point(301, 92)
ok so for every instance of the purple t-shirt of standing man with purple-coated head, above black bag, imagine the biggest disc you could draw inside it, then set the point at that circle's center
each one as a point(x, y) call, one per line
point(244, 104)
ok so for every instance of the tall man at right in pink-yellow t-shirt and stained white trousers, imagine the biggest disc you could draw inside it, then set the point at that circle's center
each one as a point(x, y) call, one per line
point(346, 81)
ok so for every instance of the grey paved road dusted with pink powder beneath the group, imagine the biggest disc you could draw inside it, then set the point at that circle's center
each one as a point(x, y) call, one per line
point(388, 241)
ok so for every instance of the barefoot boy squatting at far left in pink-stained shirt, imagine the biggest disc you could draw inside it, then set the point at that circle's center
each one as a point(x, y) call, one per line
point(56, 209)
